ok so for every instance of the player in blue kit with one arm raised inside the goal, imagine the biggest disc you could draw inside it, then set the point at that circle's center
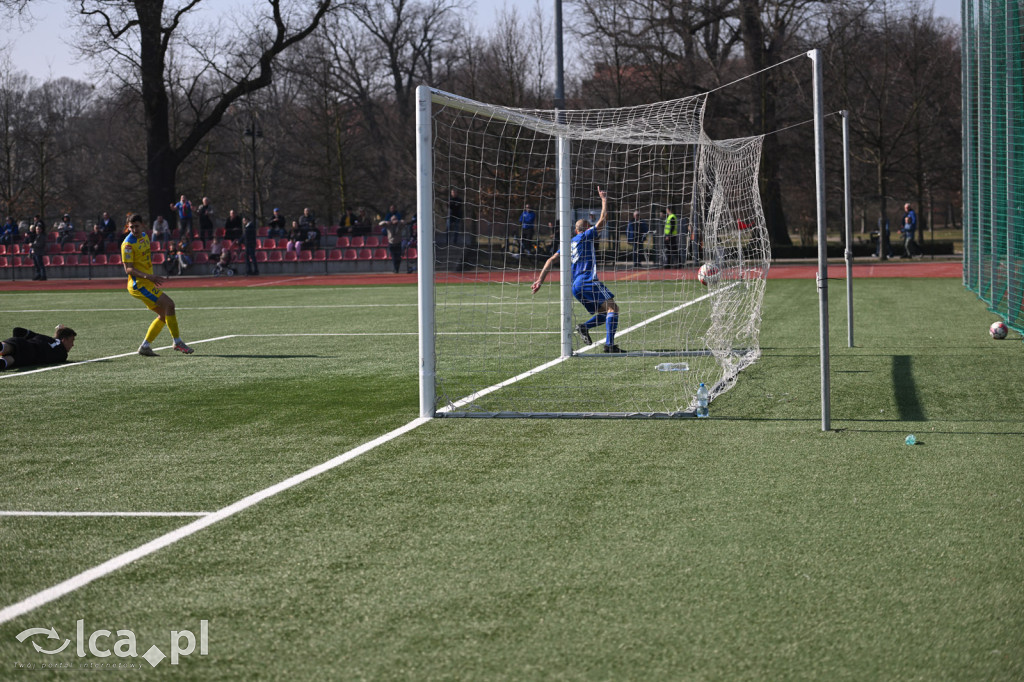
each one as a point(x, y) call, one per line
point(586, 287)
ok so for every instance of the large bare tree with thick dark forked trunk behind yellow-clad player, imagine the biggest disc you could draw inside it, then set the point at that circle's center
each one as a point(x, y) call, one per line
point(138, 39)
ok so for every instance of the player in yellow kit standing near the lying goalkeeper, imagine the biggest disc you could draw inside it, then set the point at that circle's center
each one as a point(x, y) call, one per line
point(144, 285)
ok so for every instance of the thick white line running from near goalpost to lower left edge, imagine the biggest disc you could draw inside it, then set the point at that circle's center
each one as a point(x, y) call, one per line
point(72, 584)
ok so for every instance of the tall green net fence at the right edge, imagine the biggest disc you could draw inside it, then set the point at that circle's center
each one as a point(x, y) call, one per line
point(994, 155)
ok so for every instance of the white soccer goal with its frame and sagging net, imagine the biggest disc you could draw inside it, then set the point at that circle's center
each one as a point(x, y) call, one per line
point(491, 348)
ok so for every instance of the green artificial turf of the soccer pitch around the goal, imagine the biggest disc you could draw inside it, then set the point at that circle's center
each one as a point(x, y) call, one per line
point(747, 546)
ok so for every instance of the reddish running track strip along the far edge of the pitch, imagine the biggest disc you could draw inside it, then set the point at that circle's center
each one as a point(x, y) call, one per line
point(778, 272)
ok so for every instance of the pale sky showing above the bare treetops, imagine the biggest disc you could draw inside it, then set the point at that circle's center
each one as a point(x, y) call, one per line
point(45, 51)
